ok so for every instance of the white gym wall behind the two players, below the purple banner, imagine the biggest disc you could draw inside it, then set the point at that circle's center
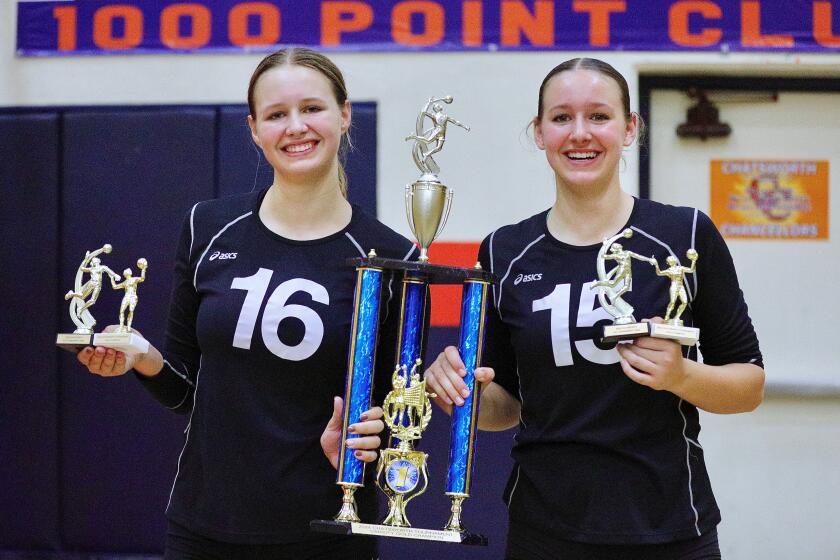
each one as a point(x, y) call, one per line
point(769, 467)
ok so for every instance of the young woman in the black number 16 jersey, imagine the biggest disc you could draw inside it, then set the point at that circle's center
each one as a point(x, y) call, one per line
point(258, 334)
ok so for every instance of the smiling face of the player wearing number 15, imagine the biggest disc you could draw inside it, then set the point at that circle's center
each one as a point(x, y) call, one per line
point(583, 128)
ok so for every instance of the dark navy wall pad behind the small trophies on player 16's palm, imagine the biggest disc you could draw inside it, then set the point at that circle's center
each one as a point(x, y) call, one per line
point(130, 176)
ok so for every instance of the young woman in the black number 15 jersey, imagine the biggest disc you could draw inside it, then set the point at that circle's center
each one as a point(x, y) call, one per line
point(608, 464)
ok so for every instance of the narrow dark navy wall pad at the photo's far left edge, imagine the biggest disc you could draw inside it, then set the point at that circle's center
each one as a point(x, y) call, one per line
point(28, 315)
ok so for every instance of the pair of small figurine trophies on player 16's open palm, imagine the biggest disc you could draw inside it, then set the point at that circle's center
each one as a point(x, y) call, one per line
point(85, 294)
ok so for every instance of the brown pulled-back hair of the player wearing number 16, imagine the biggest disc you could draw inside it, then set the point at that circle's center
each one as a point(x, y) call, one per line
point(298, 56)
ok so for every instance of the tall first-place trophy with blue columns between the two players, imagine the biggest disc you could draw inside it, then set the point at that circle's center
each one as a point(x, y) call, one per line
point(401, 471)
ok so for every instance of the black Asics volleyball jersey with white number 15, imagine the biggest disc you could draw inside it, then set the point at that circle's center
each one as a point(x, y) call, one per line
point(599, 458)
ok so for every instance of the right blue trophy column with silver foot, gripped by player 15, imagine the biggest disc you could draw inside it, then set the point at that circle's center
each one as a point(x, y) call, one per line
point(465, 418)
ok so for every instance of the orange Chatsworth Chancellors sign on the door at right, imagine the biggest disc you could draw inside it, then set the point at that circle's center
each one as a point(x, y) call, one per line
point(775, 199)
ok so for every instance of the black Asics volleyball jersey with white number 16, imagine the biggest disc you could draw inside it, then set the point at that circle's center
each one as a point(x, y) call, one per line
point(256, 348)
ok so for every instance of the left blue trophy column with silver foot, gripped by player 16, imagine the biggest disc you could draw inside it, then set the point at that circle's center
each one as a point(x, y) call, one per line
point(357, 394)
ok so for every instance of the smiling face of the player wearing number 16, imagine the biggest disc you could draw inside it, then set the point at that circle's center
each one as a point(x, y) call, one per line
point(298, 123)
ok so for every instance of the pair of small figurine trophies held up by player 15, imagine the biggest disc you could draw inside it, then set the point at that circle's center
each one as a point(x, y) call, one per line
point(618, 281)
